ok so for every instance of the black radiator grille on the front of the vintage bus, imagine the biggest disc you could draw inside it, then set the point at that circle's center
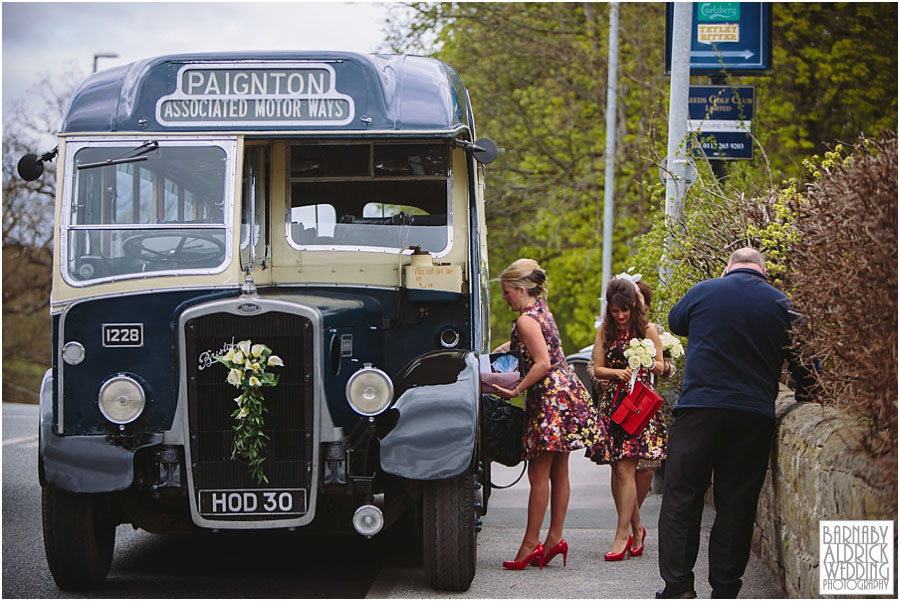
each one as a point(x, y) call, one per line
point(289, 416)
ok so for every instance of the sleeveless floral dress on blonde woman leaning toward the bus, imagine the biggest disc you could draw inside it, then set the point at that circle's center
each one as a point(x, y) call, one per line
point(559, 414)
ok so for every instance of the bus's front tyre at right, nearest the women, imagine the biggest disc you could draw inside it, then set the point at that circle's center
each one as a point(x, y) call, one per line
point(448, 524)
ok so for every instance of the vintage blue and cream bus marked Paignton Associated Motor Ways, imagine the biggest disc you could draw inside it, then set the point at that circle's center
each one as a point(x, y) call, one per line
point(325, 207)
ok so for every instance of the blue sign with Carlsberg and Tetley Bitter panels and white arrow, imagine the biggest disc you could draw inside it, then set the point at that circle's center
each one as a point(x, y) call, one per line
point(733, 37)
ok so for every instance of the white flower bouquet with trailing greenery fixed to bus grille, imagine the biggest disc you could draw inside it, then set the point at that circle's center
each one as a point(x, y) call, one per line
point(247, 363)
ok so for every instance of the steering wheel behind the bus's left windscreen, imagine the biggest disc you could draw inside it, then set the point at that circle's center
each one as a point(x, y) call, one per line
point(191, 248)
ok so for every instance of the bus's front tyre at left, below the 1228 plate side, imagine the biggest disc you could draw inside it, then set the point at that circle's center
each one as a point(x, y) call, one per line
point(78, 538)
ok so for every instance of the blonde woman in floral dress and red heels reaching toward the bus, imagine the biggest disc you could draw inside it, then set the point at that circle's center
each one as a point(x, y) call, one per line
point(559, 414)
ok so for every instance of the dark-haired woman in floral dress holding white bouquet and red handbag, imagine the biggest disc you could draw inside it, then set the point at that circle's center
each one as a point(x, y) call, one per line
point(624, 320)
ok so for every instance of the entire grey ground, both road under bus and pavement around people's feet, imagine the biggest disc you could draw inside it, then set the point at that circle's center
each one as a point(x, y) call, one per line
point(290, 565)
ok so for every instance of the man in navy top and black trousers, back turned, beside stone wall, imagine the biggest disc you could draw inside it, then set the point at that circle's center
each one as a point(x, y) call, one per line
point(738, 338)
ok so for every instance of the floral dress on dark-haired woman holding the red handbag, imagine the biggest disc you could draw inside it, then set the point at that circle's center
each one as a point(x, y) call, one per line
point(647, 444)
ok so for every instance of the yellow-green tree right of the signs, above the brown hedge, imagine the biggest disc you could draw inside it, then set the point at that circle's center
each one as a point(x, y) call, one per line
point(834, 77)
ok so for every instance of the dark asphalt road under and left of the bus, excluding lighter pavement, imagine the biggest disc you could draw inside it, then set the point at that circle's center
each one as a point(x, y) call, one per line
point(213, 565)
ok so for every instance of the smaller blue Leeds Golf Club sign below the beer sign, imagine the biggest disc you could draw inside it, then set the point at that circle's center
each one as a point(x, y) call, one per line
point(722, 119)
